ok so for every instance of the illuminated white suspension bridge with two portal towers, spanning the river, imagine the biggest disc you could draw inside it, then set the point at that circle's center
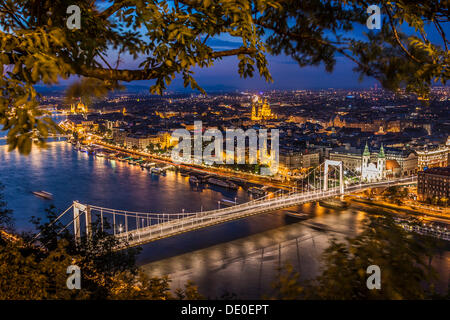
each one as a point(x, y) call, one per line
point(136, 228)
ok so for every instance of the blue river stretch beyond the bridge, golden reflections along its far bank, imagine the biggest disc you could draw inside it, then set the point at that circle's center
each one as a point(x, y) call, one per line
point(71, 175)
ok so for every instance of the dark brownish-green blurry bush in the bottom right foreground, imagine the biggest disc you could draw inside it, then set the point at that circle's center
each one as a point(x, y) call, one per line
point(404, 260)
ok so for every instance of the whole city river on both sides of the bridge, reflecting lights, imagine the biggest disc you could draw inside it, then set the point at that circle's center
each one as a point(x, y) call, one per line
point(240, 256)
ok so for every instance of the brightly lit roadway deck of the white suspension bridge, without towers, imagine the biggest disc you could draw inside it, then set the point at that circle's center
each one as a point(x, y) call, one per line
point(198, 220)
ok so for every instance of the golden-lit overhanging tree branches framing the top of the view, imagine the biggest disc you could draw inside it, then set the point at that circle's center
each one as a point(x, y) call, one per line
point(171, 38)
